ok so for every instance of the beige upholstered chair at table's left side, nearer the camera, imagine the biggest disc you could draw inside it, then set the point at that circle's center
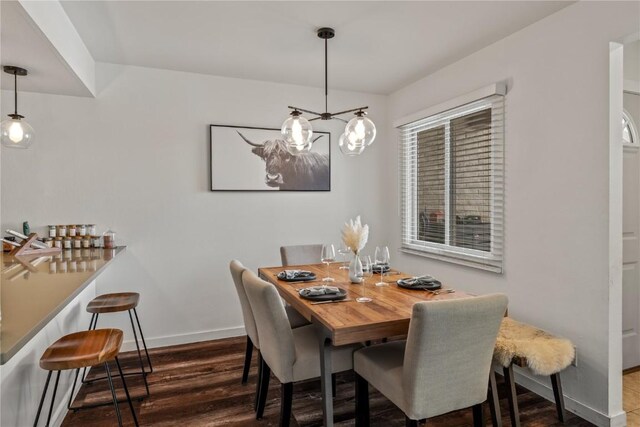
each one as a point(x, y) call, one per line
point(291, 354)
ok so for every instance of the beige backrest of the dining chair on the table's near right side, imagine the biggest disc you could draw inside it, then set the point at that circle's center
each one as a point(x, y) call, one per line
point(448, 353)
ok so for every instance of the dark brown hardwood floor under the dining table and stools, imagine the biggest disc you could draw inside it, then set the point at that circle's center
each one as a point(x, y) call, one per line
point(199, 385)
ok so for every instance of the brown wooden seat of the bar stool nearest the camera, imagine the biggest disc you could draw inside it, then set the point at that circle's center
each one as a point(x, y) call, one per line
point(82, 349)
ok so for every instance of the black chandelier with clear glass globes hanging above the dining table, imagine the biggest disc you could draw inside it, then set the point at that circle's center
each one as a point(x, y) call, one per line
point(358, 134)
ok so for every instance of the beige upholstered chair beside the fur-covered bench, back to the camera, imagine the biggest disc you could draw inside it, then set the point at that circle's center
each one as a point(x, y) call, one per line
point(444, 364)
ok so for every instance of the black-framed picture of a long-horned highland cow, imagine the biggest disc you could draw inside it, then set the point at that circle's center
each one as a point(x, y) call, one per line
point(256, 159)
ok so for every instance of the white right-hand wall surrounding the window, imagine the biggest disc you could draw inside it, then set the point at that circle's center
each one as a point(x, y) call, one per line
point(556, 268)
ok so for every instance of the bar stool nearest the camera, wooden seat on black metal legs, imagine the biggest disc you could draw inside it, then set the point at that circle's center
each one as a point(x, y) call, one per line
point(80, 350)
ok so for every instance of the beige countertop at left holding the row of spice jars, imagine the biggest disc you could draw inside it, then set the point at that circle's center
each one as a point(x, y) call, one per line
point(34, 291)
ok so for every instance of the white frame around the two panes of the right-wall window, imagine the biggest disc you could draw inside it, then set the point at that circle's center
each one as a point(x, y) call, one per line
point(493, 97)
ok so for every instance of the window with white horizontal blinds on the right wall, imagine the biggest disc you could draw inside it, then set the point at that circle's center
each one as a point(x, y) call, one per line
point(451, 166)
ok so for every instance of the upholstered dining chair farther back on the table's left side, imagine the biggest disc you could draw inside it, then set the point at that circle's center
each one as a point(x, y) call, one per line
point(294, 318)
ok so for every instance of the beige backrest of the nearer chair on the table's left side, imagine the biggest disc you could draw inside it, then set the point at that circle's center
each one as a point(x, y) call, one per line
point(277, 345)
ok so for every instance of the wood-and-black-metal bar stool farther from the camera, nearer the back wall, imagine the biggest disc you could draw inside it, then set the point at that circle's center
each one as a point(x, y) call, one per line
point(115, 303)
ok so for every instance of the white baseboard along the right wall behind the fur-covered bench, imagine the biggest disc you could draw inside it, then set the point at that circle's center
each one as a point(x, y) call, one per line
point(592, 415)
